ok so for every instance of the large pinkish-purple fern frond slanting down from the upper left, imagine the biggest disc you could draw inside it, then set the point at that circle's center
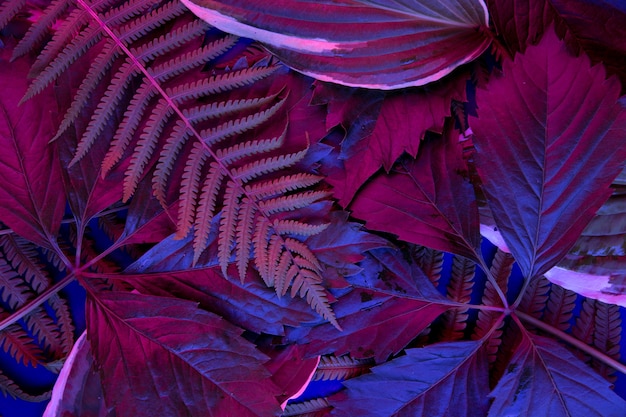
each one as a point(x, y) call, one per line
point(229, 171)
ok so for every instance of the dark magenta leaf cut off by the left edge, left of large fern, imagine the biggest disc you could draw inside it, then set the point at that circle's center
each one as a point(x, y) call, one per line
point(32, 200)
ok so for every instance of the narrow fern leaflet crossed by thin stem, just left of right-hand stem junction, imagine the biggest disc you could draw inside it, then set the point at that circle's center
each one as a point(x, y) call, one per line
point(459, 289)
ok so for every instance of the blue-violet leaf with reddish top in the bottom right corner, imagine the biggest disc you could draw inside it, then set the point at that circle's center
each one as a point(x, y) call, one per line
point(545, 379)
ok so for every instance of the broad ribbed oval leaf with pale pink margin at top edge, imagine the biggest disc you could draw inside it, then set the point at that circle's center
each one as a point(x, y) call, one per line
point(382, 44)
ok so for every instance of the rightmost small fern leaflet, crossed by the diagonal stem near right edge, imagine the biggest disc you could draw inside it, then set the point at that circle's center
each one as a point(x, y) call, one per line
point(607, 336)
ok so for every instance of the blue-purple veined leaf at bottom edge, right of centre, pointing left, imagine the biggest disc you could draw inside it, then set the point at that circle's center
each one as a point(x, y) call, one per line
point(445, 379)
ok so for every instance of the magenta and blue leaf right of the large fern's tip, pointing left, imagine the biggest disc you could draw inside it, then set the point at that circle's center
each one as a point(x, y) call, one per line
point(391, 302)
